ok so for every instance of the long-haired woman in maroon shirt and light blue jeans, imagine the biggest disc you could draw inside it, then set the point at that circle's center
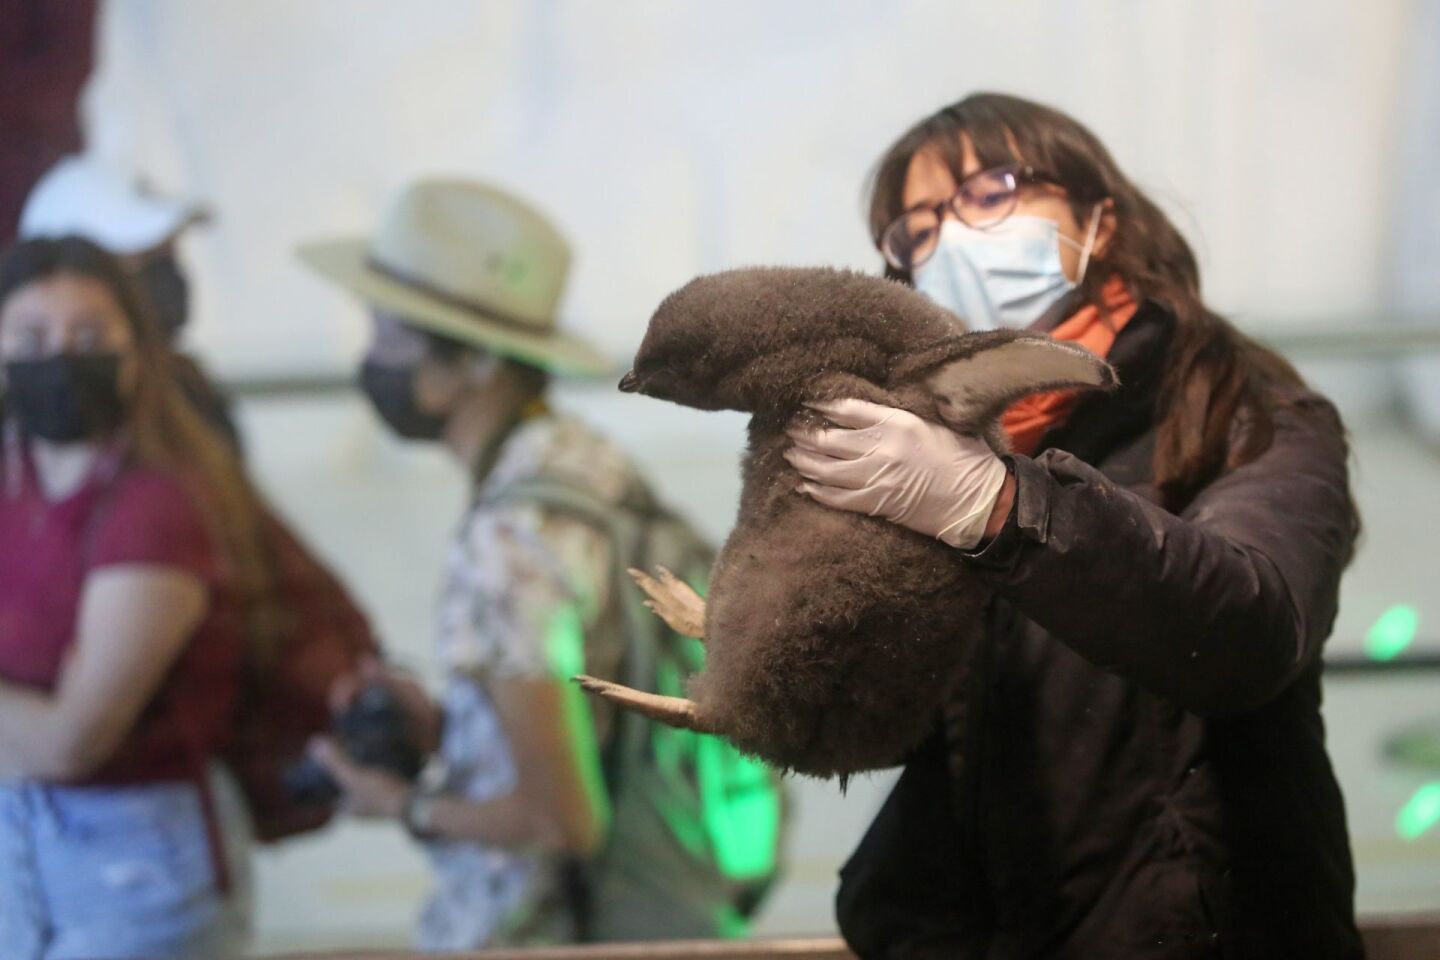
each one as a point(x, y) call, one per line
point(130, 584)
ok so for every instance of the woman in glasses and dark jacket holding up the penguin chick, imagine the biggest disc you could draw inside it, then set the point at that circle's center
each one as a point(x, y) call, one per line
point(1135, 765)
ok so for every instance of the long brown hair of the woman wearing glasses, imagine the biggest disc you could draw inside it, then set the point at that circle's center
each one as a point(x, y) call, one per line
point(1216, 376)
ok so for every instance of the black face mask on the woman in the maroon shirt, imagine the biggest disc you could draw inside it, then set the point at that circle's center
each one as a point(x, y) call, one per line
point(66, 398)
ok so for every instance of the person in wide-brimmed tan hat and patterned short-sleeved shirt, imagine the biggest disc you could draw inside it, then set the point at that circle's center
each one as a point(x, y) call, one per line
point(463, 281)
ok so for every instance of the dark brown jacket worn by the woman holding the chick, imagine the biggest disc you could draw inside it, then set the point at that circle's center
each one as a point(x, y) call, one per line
point(1135, 766)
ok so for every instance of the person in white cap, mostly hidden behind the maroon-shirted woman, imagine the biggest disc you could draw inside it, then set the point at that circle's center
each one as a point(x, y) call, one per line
point(84, 196)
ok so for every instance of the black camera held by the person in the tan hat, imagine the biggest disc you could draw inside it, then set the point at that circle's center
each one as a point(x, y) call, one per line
point(375, 733)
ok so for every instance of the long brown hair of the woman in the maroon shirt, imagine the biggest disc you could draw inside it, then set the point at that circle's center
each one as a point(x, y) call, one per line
point(161, 425)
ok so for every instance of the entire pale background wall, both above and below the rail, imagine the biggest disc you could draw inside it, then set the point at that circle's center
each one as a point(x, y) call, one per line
point(672, 139)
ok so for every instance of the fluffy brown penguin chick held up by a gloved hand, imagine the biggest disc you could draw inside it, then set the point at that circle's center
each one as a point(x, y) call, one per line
point(832, 638)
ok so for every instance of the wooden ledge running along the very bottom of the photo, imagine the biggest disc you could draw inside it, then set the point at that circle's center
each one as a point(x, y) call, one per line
point(1405, 938)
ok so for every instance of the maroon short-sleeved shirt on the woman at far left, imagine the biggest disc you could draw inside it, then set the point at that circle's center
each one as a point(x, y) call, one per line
point(122, 516)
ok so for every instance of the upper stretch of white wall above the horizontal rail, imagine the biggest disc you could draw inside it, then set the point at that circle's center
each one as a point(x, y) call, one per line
point(680, 137)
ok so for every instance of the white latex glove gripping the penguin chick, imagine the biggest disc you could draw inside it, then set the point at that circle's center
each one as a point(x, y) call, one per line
point(892, 464)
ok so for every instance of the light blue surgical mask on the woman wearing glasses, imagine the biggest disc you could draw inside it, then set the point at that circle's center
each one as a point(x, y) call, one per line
point(1007, 276)
